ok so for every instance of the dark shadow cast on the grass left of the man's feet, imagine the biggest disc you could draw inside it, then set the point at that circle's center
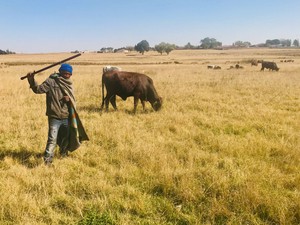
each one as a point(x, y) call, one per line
point(23, 156)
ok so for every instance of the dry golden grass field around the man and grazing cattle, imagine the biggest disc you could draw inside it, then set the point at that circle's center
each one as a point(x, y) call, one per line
point(224, 149)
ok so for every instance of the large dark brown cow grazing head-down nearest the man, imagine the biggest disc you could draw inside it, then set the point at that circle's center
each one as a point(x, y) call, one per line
point(126, 84)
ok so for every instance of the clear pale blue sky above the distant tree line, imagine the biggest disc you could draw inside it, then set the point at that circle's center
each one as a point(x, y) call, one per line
point(42, 26)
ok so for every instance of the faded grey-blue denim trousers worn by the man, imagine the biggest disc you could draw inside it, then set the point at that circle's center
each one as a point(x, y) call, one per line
point(58, 134)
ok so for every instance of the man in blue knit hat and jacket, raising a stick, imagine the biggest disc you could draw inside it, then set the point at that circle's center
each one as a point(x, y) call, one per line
point(59, 96)
